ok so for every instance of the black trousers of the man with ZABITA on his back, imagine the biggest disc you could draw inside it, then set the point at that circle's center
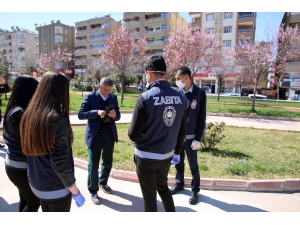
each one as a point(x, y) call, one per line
point(153, 176)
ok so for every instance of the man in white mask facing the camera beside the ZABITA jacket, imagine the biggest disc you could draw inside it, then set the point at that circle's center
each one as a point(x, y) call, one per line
point(195, 128)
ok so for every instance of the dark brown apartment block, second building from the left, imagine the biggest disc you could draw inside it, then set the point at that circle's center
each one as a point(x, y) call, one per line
point(54, 35)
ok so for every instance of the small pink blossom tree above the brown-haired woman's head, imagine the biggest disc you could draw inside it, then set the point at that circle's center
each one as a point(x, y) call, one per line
point(56, 60)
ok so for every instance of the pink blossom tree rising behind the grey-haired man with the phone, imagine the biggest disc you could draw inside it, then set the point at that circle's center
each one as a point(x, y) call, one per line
point(121, 52)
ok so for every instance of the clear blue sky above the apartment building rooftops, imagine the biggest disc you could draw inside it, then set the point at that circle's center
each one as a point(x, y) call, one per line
point(26, 20)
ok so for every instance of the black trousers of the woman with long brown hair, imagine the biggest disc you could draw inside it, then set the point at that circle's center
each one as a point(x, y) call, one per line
point(57, 205)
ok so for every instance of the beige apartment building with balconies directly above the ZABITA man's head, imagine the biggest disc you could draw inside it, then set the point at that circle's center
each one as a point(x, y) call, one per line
point(154, 26)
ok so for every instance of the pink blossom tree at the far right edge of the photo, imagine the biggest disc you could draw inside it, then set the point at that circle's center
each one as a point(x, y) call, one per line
point(287, 47)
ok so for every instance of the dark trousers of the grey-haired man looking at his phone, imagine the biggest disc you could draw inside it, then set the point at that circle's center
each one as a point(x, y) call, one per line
point(103, 142)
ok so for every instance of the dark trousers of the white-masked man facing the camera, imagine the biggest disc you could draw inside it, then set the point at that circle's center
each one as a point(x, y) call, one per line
point(193, 162)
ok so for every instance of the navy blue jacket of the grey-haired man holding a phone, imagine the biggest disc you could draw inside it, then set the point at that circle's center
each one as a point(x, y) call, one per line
point(88, 110)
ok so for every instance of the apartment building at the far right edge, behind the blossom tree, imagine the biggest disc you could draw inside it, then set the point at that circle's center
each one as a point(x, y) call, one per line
point(290, 86)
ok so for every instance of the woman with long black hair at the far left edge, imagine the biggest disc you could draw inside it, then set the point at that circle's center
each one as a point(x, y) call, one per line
point(15, 161)
